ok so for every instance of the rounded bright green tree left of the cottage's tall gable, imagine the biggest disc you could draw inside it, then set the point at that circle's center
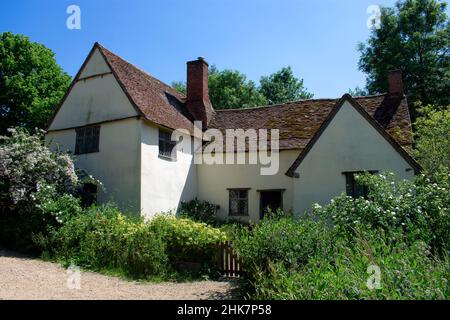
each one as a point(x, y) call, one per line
point(31, 83)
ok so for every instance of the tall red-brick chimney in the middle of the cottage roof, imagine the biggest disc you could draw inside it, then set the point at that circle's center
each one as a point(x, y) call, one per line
point(198, 102)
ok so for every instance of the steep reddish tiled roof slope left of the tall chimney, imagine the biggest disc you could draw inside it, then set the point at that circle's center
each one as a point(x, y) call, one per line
point(154, 100)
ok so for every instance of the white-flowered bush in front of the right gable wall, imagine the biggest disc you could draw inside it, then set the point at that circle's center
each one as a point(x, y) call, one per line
point(419, 208)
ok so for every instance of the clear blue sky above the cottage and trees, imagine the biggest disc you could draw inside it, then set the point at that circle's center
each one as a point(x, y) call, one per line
point(318, 39)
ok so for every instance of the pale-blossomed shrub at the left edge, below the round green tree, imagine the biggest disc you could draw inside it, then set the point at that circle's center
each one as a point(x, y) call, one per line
point(25, 161)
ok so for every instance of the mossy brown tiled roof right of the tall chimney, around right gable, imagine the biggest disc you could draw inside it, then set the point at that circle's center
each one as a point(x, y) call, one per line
point(299, 121)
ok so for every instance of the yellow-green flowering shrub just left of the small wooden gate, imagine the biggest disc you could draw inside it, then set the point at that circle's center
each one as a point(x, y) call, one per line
point(187, 240)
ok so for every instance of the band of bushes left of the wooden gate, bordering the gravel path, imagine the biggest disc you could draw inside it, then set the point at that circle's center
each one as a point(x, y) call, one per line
point(41, 213)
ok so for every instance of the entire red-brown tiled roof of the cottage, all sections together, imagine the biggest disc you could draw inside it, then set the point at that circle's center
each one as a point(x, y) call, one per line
point(298, 121)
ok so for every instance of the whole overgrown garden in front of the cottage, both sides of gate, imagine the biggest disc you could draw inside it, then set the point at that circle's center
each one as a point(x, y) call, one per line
point(392, 244)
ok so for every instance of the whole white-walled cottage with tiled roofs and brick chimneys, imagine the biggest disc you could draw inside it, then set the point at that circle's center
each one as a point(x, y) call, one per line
point(118, 122)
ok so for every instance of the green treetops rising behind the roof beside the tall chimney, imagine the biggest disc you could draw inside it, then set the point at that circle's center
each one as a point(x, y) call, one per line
point(230, 89)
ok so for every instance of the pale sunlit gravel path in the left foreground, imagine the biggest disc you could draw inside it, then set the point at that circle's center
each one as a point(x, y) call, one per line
point(25, 278)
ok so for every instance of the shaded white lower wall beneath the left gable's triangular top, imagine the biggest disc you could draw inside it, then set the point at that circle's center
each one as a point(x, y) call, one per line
point(116, 165)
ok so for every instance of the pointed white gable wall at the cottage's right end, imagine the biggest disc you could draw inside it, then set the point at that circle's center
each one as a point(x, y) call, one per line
point(349, 143)
